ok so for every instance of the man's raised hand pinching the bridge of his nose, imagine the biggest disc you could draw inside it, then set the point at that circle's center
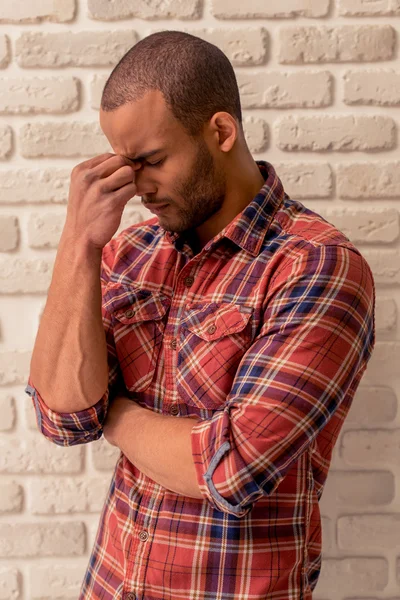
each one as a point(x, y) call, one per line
point(99, 190)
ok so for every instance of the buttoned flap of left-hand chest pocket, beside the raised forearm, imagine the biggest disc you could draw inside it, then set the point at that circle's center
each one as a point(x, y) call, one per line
point(133, 305)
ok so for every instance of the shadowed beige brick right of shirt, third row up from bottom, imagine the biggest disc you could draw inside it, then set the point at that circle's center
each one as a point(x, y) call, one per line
point(360, 489)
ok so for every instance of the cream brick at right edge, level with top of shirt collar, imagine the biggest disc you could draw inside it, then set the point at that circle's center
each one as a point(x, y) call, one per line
point(368, 180)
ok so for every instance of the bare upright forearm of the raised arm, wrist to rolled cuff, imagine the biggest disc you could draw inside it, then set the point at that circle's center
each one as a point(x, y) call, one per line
point(69, 360)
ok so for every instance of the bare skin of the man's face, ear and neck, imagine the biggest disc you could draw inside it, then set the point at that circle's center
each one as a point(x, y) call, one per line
point(206, 181)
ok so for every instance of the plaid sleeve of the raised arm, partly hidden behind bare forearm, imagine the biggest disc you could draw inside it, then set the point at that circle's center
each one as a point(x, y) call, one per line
point(69, 429)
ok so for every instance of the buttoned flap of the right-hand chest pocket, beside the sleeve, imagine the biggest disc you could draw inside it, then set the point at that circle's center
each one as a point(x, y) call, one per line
point(217, 320)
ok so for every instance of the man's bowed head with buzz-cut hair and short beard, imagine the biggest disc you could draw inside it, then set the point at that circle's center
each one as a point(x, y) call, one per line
point(176, 93)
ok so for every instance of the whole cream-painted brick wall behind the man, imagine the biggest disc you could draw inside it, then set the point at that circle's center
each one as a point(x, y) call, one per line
point(320, 89)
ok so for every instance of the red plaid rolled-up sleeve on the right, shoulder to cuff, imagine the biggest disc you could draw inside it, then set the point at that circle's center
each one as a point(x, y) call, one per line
point(317, 337)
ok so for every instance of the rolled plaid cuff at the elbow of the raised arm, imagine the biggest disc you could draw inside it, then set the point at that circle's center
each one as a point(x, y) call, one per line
point(69, 429)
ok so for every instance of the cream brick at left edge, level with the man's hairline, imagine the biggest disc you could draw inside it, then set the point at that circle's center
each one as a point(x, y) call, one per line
point(37, 95)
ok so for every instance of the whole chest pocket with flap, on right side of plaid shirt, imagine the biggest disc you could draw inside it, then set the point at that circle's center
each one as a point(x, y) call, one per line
point(214, 338)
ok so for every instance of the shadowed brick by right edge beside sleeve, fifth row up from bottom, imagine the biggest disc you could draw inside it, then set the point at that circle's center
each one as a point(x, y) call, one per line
point(371, 405)
